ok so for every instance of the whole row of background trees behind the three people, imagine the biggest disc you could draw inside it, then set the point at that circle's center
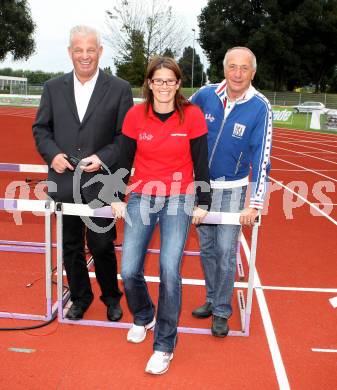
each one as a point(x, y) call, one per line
point(294, 40)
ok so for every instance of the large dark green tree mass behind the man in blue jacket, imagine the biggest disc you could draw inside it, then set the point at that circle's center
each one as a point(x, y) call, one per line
point(291, 38)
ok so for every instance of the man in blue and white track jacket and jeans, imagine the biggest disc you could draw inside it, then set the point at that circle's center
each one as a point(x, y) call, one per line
point(239, 122)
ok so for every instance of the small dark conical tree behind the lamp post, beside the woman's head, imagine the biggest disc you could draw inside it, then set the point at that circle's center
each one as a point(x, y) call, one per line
point(185, 64)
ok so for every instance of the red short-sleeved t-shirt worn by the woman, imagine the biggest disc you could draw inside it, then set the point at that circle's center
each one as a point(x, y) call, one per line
point(163, 162)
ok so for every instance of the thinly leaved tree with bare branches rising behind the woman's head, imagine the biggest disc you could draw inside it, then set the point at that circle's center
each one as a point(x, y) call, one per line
point(151, 21)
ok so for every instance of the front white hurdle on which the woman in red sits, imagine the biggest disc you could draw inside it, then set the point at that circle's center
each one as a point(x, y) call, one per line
point(245, 305)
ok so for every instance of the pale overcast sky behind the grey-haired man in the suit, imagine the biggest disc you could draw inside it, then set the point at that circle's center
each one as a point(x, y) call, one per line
point(54, 19)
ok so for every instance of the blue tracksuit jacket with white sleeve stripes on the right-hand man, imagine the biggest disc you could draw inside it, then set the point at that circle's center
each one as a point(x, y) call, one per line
point(241, 140)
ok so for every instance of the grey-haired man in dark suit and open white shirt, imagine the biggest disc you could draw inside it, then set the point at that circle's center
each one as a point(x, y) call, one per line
point(81, 116)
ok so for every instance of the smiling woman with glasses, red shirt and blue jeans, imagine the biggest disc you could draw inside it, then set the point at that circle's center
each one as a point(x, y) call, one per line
point(166, 140)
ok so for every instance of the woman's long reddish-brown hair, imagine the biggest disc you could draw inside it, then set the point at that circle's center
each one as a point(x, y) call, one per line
point(156, 63)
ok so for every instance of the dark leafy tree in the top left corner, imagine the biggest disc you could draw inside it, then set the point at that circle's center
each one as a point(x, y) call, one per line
point(16, 29)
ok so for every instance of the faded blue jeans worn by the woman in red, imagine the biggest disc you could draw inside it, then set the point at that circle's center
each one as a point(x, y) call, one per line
point(174, 216)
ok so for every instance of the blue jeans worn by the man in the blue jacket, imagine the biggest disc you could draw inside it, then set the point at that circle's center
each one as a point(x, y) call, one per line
point(218, 244)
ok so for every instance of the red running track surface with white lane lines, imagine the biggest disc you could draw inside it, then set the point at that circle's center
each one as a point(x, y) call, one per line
point(292, 316)
